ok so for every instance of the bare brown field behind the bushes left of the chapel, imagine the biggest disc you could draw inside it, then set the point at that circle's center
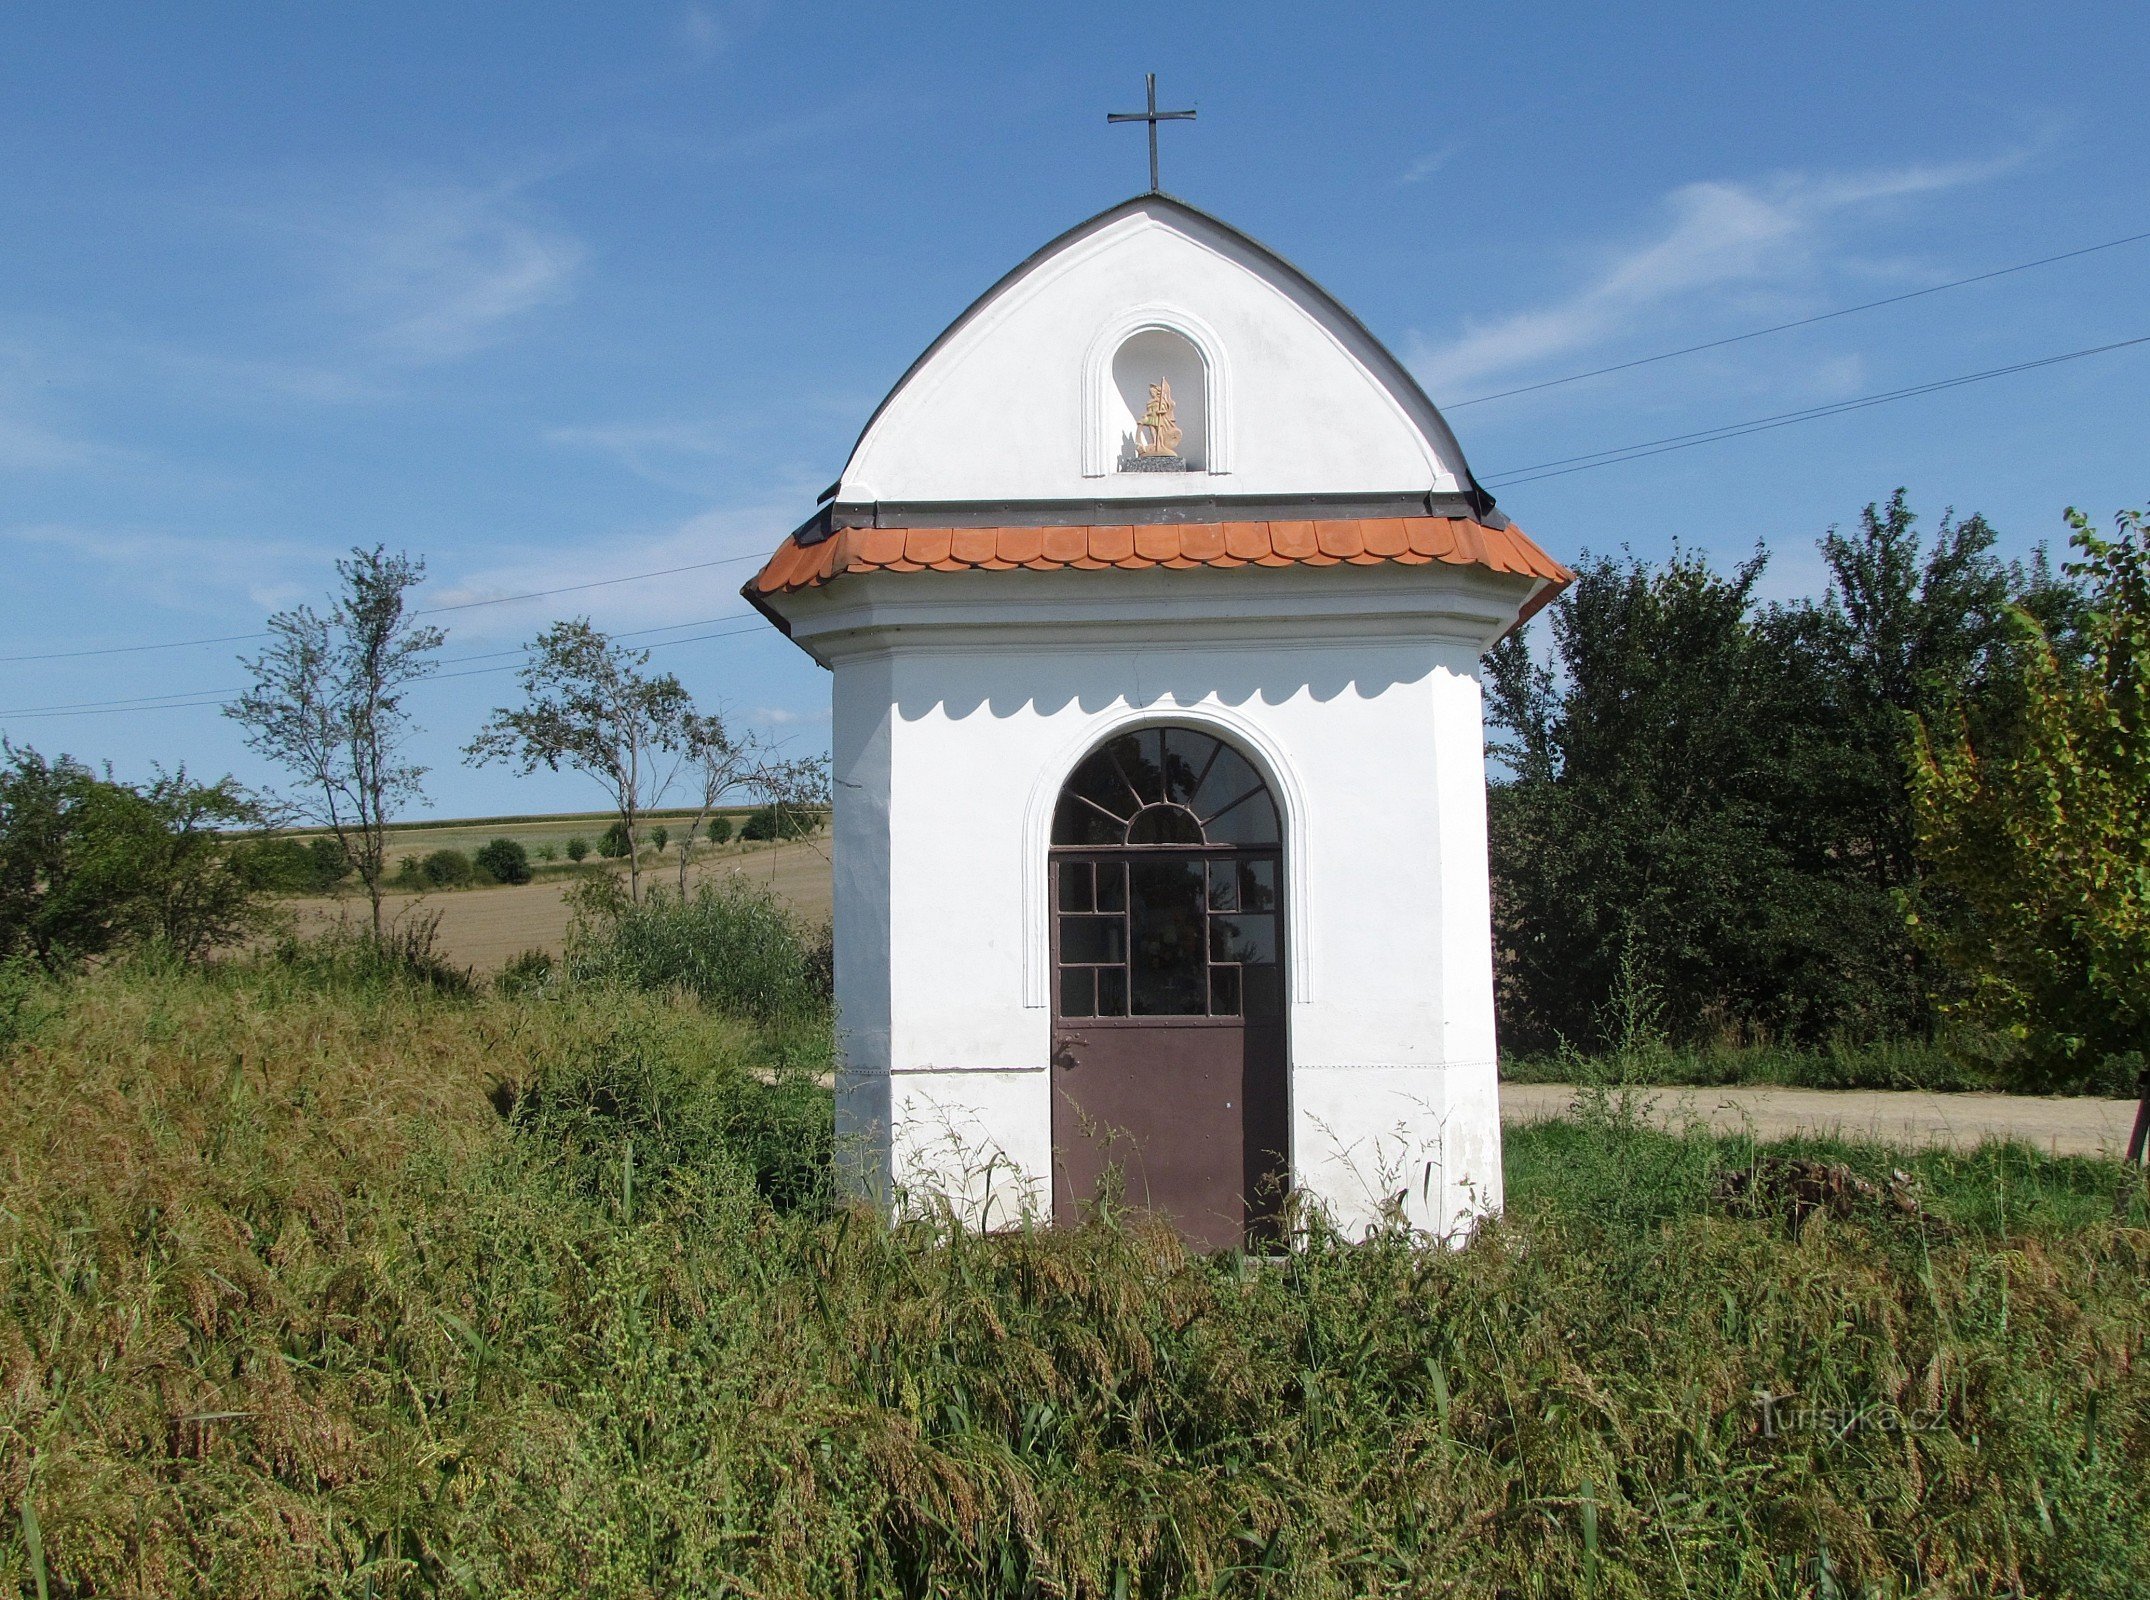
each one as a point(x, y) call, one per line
point(487, 928)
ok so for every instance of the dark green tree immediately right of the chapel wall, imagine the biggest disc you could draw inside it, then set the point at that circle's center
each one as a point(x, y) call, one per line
point(1650, 818)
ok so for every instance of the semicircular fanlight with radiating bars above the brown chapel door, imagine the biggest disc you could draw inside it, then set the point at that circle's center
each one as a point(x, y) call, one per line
point(1166, 788)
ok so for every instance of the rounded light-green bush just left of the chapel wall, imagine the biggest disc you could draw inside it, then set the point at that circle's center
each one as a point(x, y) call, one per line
point(730, 943)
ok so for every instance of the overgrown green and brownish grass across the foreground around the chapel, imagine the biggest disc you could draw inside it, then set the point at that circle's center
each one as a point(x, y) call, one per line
point(326, 1281)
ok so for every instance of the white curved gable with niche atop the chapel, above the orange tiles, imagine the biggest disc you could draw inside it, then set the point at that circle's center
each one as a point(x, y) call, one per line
point(1035, 392)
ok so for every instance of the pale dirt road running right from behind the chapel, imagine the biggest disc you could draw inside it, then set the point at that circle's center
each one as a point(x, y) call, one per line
point(2065, 1126)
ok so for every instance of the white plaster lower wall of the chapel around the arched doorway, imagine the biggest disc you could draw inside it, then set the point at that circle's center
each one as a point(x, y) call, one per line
point(951, 745)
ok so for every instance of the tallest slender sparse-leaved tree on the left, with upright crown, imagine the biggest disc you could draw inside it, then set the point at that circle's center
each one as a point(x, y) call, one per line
point(328, 706)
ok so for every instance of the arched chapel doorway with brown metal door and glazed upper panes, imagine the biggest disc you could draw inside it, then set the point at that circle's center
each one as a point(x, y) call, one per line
point(1169, 984)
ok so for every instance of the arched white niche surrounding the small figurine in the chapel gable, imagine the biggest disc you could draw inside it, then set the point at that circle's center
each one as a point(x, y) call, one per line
point(1126, 358)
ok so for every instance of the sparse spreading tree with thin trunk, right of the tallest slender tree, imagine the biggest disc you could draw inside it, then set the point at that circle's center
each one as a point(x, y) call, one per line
point(590, 706)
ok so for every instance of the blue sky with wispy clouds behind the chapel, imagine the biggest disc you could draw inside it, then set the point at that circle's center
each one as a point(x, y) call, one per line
point(558, 294)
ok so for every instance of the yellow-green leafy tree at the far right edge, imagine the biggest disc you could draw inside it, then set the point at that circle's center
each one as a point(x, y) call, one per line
point(2037, 835)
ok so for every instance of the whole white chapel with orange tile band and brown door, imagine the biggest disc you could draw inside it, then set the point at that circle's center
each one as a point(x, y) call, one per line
point(1153, 599)
